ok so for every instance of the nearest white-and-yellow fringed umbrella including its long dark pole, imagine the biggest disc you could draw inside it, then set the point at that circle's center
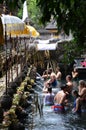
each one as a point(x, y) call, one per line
point(11, 24)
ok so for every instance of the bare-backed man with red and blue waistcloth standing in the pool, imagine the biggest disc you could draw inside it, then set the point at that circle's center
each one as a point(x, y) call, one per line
point(61, 99)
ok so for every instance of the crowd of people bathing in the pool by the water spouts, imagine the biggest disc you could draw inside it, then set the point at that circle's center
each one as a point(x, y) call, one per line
point(65, 94)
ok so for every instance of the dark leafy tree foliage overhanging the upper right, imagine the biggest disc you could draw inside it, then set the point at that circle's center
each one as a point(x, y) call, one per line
point(70, 15)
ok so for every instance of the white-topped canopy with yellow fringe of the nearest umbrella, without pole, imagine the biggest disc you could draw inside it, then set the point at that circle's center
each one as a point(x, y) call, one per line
point(12, 24)
